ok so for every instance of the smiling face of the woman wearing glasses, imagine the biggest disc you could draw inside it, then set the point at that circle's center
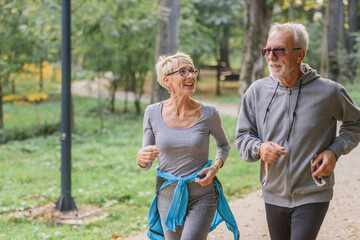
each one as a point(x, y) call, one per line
point(183, 82)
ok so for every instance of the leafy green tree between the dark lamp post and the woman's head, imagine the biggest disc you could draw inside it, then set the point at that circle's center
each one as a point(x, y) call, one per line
point(118, 39)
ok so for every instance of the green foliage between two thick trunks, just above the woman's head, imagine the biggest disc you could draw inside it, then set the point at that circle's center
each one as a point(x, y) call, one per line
point(213, 23)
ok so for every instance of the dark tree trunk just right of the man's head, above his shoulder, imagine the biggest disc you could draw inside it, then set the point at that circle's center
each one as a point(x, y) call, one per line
point(334, 18)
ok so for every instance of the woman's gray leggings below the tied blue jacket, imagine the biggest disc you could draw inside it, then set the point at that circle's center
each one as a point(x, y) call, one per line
point(200, 211)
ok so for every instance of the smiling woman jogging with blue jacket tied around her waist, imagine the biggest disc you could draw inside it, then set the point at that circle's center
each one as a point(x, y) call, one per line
point(189, 201)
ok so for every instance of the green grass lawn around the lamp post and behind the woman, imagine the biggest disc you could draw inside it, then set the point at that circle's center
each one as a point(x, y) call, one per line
point(104, 172)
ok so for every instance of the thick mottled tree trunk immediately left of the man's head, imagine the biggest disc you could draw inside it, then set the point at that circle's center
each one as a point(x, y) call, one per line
point(257, 20)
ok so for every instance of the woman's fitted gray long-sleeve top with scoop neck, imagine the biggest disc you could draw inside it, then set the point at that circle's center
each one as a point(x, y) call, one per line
point(184, 151)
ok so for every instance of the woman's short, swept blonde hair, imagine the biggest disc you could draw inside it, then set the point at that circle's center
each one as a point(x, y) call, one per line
point(169, 63)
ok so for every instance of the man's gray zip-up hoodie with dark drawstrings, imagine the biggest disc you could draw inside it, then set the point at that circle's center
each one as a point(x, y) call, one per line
point(302, 119)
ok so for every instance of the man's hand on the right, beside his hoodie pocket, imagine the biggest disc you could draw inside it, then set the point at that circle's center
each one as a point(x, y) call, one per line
point(328, 159)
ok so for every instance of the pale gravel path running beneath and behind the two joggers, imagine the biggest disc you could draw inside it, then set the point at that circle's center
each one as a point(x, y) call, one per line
point(342, 221)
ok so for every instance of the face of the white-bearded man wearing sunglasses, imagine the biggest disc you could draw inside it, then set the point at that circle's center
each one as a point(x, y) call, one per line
point(282, 67)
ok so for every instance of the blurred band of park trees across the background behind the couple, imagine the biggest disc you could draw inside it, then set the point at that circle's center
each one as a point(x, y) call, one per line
point(125, 37)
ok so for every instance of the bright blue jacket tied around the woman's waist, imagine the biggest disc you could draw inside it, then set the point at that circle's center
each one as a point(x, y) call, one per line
point(179, 203)
